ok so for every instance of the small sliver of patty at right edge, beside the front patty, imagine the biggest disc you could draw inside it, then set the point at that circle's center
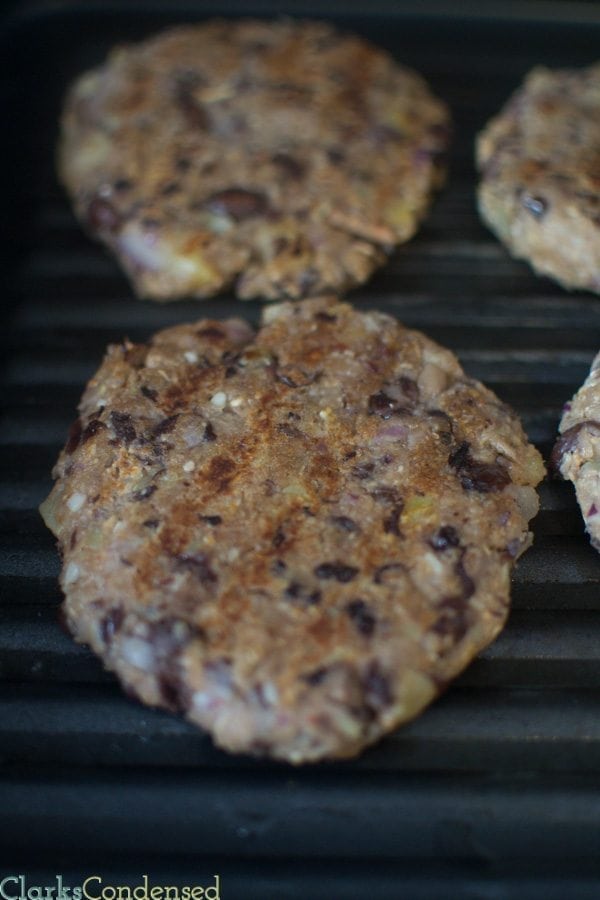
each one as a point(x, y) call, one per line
point(576, 454)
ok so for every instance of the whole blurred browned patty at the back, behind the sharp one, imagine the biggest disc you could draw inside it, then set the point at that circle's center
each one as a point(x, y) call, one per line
point(278, 159)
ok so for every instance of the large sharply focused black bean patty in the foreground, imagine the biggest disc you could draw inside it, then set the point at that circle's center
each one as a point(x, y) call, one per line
point(296, 537)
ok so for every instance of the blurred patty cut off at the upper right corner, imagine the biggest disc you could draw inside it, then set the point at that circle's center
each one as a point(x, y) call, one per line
point(540, 175)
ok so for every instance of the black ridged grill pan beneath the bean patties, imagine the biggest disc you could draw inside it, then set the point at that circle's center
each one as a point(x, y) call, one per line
point(494, 791)
